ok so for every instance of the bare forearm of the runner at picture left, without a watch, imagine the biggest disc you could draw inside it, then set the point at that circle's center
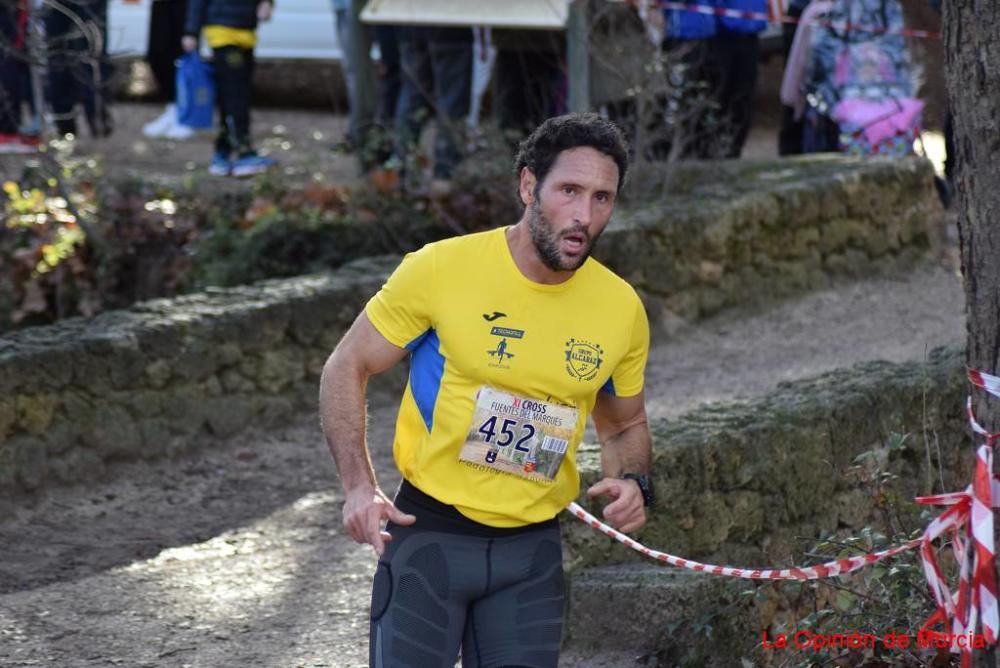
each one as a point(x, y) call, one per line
point(343, 415)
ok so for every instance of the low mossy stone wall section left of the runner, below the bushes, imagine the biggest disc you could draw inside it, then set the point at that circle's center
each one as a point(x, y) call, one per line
point(168, 375)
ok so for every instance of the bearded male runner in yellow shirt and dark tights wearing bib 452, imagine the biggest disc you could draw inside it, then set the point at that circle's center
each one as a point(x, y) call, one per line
point(515, 336)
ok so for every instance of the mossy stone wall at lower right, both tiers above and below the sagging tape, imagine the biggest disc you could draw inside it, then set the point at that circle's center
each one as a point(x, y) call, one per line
point(756, 484)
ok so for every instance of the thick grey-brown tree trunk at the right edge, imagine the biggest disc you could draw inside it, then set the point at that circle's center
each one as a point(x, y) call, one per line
point(972, 69)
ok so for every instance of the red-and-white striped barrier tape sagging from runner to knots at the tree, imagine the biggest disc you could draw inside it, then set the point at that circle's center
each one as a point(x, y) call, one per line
point(975, 601)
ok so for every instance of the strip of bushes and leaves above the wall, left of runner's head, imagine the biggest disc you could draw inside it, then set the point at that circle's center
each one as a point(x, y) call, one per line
point(80, 244)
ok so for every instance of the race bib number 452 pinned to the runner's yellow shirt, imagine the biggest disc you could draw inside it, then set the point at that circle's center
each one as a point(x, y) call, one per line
point(523, 437)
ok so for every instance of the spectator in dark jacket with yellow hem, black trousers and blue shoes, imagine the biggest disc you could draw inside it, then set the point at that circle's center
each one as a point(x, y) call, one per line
point(230, 30)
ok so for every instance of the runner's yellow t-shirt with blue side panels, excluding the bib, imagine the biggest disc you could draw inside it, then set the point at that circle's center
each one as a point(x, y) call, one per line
point(471, 319)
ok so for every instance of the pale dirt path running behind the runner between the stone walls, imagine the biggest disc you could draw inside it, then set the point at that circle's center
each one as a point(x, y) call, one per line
point(235, 557)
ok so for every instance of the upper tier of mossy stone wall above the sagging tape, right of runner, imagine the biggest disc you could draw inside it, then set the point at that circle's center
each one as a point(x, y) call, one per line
point(746, 484)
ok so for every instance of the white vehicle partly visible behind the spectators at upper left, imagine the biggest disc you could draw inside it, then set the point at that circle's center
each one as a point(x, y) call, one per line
point(299, 30)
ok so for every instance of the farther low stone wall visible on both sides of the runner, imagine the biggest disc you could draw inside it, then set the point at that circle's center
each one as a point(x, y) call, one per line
point(165, 376)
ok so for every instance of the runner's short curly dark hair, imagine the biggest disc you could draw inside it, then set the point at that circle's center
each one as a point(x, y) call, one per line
point(539, 151)
